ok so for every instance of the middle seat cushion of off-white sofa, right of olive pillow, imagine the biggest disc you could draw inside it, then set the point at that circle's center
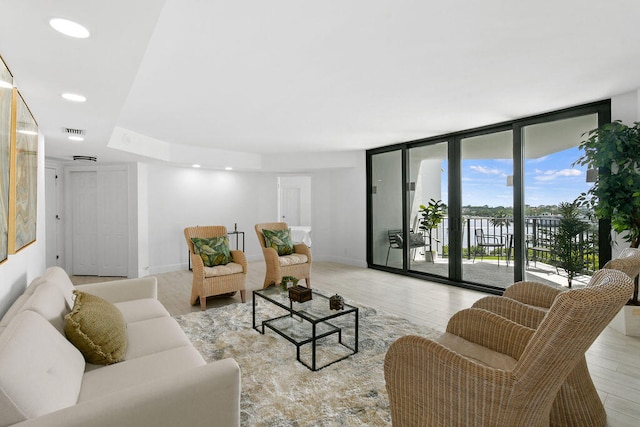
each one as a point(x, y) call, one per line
point(154, 335)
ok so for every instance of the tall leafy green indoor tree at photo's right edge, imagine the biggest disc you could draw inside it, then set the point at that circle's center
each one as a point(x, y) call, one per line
point(614, 150)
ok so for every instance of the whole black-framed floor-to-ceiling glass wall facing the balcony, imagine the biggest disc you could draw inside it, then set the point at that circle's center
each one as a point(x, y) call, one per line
point(500, 187)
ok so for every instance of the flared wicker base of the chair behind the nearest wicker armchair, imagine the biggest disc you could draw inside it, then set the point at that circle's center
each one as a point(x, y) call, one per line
point(577, 403)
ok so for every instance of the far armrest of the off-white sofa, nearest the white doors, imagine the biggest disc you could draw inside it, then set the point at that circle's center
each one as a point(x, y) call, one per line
point(123, 290)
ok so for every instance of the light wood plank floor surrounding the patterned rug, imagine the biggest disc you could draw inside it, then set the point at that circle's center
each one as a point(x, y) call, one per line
point(614, 359)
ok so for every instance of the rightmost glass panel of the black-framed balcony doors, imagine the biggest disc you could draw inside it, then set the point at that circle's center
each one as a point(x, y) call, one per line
point(551, 179)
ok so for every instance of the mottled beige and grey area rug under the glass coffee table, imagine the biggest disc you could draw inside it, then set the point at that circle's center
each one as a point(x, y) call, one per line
point(277, 390)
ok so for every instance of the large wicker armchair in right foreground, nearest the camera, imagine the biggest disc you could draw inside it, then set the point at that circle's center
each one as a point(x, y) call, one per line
point(487, 370)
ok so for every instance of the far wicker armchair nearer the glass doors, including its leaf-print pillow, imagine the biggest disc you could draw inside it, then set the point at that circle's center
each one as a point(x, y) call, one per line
point(281, 256)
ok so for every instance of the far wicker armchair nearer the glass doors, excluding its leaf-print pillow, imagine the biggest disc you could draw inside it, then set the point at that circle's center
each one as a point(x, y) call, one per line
point(297, 265)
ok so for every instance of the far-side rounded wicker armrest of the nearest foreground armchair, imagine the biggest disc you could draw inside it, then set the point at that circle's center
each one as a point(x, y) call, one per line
point(491, 331)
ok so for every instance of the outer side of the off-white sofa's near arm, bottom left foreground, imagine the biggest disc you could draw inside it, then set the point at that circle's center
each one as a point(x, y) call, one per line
point(208, 395)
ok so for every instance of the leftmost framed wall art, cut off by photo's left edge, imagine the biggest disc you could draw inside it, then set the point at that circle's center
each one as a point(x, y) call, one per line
point(6, 102)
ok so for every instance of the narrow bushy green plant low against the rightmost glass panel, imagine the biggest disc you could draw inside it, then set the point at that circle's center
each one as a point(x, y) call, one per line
point(569, 245)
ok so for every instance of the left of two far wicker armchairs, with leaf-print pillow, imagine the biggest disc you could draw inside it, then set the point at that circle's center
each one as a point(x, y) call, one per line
point(217, 269)
